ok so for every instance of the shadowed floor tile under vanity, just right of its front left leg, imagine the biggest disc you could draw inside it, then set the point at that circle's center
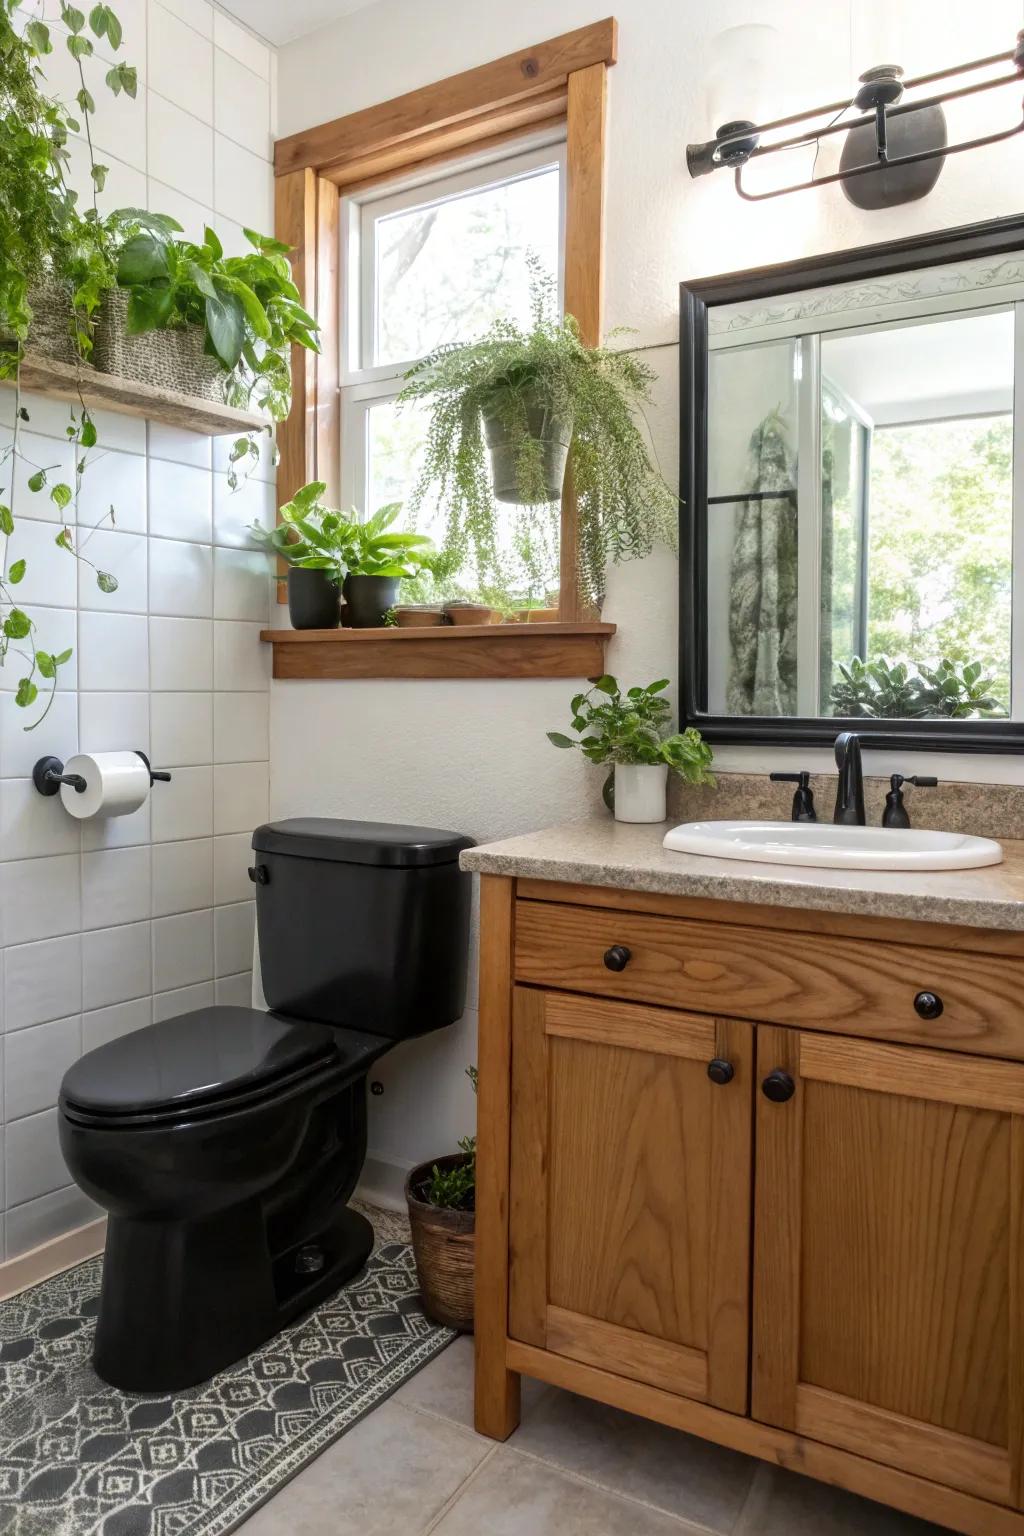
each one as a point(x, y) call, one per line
point(676, 1472)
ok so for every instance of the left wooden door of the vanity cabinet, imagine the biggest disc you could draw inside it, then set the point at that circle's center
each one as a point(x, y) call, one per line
point(630, 1203)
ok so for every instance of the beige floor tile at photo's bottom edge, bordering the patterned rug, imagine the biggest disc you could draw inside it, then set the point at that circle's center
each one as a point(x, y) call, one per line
point(388, 1477)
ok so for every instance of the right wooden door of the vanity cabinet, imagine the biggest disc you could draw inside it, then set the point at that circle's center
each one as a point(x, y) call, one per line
point(888, 1256)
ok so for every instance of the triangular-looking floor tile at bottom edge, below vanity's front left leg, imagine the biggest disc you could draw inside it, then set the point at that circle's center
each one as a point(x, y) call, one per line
point(520, 1497)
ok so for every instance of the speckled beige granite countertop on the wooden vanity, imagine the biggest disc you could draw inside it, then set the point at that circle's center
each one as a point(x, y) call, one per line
point(603, 852)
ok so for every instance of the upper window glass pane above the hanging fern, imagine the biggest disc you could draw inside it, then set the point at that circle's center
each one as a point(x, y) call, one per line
point(448, 270)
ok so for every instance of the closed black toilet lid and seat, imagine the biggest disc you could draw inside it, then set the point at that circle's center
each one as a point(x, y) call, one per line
point(200, 1059)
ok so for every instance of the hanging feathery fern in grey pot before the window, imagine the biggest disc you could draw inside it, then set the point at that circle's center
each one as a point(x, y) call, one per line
point(524, 397)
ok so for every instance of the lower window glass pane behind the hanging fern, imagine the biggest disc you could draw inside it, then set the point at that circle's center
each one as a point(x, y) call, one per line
point(529, 538)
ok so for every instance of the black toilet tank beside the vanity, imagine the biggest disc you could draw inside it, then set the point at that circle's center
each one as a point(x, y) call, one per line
point(363, 924)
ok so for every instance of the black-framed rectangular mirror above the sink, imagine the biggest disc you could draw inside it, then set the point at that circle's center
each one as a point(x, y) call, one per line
point(853, 497)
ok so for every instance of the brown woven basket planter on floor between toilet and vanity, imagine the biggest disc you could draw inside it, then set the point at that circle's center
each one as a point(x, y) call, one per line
point(443, 1245)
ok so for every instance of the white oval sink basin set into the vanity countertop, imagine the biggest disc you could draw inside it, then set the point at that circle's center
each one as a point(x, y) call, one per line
point(828, 847)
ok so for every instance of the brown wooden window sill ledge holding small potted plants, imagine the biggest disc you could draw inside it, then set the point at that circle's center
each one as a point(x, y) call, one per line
point(467, 650)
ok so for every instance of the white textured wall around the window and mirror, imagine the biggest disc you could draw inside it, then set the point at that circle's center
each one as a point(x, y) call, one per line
point(474, 755)
